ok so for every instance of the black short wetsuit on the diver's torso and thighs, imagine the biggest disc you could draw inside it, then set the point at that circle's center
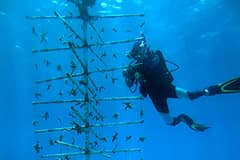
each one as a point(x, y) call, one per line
point(156, 80)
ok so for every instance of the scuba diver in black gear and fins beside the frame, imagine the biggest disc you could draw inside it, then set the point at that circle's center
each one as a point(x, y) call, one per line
point(148, 69)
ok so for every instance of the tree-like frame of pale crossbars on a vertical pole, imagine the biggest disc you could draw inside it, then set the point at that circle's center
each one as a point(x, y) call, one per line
point(88, 95)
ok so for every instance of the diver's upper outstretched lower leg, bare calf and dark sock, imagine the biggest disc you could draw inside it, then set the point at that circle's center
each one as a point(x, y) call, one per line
point(182, 93)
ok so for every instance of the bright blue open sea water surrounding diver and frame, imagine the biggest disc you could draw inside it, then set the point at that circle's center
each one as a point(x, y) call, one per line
point(201, 36)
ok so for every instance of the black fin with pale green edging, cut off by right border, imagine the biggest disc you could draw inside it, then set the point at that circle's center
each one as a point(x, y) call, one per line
point(231, 86)
